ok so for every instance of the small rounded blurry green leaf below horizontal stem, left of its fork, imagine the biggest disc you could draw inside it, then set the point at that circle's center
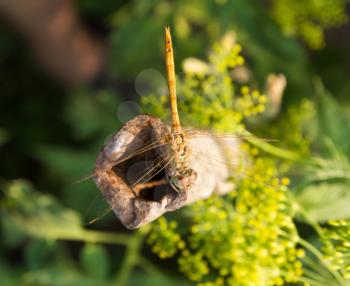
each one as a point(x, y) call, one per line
point(94, 260)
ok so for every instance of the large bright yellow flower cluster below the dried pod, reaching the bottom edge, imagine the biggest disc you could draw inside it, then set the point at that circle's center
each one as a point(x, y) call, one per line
point(248, 240)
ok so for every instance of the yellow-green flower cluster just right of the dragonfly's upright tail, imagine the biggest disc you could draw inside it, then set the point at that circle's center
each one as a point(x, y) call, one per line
point(211, 100)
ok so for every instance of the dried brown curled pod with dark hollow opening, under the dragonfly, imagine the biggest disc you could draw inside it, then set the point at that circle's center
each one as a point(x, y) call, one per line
point(141, 147)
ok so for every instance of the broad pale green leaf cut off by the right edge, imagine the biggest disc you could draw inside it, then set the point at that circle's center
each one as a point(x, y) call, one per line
point(324, 192)
